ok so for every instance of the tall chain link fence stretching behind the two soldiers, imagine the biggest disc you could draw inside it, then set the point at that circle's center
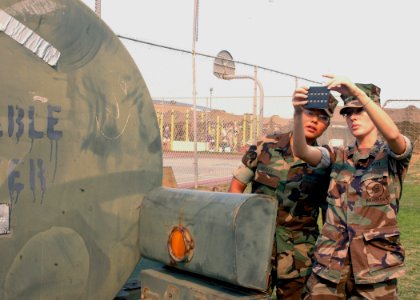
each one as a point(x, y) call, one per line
point(223, 137)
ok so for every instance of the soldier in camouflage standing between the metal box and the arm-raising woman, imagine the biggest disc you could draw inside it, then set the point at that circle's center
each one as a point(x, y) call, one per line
point(272, 168)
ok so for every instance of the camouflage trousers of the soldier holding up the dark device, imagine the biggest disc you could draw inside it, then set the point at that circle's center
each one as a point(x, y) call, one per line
point(318, 288)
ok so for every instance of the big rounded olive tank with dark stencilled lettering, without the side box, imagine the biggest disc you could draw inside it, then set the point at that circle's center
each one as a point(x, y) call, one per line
point(79, 148)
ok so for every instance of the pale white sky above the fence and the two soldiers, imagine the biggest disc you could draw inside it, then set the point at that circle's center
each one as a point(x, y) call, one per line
point(369, 41)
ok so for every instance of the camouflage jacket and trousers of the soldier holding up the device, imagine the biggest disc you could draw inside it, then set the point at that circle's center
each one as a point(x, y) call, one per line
point(360, 239)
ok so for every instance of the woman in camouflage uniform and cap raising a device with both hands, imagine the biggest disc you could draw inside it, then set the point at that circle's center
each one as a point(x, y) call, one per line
point(358, 254)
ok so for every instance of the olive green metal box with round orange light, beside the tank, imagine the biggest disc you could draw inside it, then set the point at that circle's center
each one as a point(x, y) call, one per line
point(226, 236)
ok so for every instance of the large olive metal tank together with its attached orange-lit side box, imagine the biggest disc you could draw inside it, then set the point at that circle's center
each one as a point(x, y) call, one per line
point(81, 171)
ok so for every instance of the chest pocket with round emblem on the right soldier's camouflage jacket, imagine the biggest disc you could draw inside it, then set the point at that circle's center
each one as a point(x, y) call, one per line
point(375, 188)
